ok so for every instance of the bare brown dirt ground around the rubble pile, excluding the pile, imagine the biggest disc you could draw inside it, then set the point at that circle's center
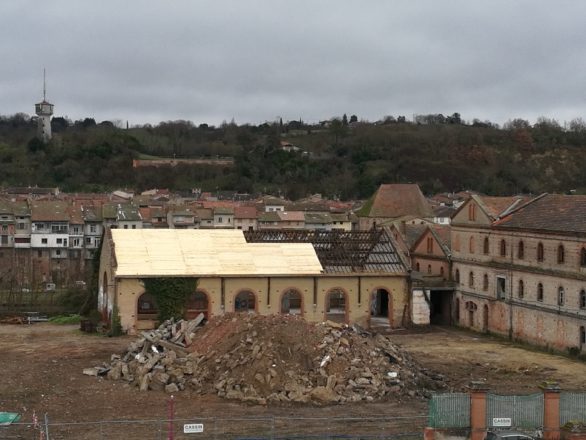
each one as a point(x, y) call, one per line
point(41, 366)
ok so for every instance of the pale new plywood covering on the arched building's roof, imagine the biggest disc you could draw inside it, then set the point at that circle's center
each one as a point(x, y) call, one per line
point(204, 252)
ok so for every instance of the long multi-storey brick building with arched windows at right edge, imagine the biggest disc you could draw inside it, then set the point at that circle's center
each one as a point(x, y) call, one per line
point(520, 268)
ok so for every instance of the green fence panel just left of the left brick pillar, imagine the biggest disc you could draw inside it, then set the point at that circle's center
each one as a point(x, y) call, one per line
point(449, 410)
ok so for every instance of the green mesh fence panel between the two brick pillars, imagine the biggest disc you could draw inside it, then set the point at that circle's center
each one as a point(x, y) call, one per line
point(525, 412)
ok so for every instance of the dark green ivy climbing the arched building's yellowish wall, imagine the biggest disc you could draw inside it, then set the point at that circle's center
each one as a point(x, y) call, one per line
point(171, 294)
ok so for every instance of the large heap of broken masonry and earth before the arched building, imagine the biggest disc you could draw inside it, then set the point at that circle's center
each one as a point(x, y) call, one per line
point(263, 359)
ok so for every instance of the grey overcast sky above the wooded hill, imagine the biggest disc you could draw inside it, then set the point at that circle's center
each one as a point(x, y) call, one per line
point(257, 60)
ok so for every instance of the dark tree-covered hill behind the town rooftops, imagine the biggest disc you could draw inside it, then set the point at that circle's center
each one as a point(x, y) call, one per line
point(337, 160)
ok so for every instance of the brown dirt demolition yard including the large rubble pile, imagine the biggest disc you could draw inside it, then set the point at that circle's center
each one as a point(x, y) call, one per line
point(264, 378)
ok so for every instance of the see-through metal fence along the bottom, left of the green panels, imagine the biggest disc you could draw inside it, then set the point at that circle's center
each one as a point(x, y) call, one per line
point(245, 428)
